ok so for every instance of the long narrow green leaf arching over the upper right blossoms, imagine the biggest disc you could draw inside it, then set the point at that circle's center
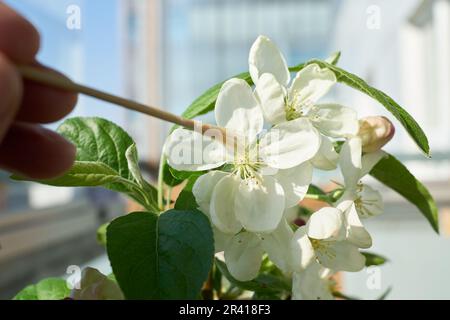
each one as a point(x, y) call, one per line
point(408, 122)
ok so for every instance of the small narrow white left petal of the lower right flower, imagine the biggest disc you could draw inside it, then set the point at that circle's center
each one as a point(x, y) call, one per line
point(302, 251)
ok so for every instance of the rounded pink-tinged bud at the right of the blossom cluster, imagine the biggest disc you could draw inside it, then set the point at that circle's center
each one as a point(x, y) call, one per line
point(375, 132)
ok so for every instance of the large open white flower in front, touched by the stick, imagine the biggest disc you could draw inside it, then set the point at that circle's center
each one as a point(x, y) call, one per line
point(268, 173)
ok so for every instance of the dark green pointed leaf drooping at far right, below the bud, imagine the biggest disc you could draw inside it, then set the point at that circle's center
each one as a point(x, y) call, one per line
point(396, 176)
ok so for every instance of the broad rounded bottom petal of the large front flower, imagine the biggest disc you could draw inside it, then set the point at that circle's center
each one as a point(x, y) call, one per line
point(259, 205)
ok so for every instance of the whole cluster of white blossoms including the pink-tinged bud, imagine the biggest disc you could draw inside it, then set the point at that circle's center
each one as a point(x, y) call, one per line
point(250, 186)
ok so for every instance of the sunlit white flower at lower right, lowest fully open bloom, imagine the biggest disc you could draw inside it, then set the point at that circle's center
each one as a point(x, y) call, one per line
point(333, 237)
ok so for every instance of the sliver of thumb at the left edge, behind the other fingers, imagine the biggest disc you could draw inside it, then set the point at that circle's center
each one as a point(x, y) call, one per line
point(10, 94)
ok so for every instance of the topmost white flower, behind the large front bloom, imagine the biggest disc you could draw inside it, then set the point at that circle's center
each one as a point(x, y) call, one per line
point(283, 102)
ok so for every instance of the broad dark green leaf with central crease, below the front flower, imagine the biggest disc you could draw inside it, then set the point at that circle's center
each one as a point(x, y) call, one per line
point(161, 257)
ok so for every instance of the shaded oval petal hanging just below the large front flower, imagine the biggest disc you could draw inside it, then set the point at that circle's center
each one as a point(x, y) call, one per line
point(243, 256)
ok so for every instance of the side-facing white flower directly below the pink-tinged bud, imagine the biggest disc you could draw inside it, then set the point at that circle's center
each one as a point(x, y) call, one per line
point(354, 167)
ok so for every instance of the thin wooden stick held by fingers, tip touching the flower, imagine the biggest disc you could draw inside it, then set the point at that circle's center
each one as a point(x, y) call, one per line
point(60, 82)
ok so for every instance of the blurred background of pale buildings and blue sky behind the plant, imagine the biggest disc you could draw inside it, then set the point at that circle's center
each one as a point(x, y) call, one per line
point(167, 52)
